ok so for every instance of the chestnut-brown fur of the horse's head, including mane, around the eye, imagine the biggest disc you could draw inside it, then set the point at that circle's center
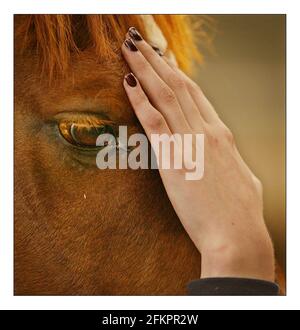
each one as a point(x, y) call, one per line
point(80, 230)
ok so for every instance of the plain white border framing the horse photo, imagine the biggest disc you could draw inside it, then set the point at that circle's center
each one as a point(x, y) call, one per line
point(289, 7)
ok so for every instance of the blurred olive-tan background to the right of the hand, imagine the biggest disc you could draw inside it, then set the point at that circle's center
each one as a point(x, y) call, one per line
point(244, 77)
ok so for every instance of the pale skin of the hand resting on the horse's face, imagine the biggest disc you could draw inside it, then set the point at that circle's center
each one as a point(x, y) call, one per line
point(223, 212)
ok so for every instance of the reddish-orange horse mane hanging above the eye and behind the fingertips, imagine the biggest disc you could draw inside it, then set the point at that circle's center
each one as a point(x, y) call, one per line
point(55, 38)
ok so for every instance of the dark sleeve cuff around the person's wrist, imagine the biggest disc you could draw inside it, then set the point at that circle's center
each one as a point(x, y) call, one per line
point(232, 287)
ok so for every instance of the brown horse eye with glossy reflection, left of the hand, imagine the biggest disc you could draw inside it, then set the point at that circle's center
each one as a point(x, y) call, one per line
point(84, 133)
